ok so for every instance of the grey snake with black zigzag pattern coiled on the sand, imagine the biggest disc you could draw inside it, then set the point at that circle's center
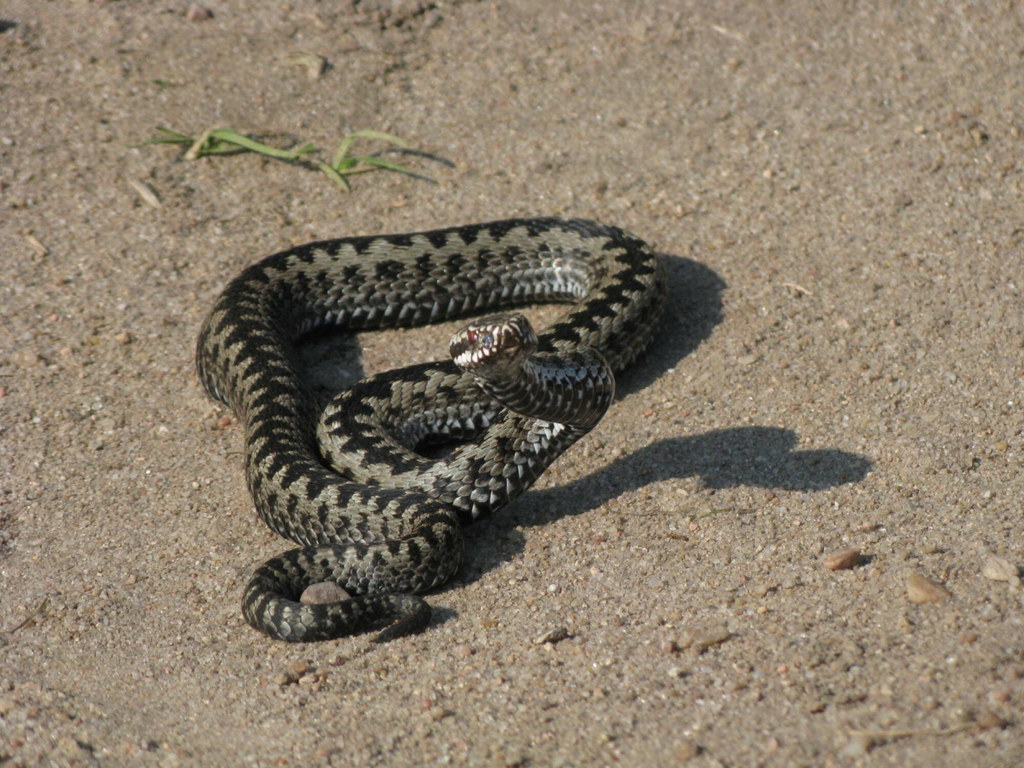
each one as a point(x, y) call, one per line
point(376, 486)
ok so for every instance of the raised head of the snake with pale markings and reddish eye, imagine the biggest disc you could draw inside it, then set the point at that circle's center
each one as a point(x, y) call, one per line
point(494, 345)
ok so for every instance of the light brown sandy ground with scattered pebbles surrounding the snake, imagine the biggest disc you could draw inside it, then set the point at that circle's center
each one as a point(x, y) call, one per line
point(839, 197)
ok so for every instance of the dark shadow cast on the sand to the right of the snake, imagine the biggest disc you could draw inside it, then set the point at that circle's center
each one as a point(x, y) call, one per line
point(750, 456)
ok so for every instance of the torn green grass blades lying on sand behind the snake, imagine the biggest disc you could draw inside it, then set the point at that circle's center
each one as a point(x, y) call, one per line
point(216, 142)
